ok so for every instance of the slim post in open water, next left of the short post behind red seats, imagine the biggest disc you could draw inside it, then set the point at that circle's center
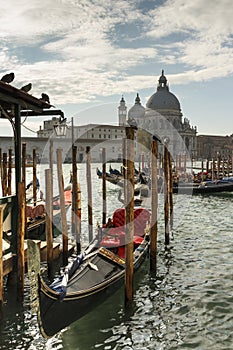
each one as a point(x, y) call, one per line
point(89, 194)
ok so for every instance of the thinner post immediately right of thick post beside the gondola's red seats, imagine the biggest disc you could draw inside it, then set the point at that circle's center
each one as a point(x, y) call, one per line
point(166, 195)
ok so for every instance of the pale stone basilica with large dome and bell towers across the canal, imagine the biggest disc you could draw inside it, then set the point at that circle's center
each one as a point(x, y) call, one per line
point(163, 118)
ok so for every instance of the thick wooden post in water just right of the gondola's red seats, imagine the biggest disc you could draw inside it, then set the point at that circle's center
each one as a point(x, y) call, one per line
point(154, 206)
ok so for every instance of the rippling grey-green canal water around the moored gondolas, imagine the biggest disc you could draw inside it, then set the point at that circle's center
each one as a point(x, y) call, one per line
point(188, 304)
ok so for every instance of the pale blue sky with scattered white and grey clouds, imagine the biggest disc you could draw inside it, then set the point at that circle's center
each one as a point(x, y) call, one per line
point(86, 54)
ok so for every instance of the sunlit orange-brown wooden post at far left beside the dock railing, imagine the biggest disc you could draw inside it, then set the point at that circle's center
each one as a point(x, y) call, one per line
point(20, 240)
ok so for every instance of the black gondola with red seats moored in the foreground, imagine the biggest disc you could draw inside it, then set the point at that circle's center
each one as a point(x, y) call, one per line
point(93, 276)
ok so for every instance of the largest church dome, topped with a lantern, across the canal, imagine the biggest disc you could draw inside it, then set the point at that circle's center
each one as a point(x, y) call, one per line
point(163, 99)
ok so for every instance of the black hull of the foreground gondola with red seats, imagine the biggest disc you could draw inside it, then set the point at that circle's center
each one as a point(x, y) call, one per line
point(54, 315)
